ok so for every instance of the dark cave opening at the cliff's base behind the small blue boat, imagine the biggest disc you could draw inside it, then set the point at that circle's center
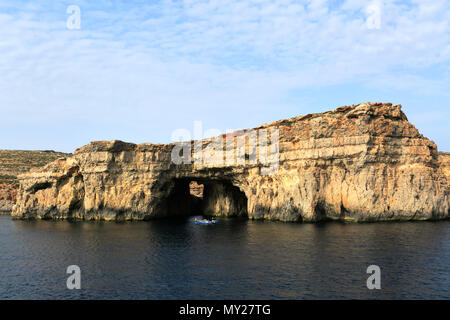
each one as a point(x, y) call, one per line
point(207, 197)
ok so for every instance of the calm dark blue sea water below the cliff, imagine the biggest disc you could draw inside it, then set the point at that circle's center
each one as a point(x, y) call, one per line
point(235, 259)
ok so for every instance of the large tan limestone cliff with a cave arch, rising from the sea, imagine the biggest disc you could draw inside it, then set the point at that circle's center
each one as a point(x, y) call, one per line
point(358, 163)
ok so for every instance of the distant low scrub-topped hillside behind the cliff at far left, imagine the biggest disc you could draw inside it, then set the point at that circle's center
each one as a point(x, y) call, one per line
point(15, 162)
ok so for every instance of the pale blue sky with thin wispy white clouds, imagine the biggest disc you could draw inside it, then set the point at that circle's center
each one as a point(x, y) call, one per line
point(138, 71)
